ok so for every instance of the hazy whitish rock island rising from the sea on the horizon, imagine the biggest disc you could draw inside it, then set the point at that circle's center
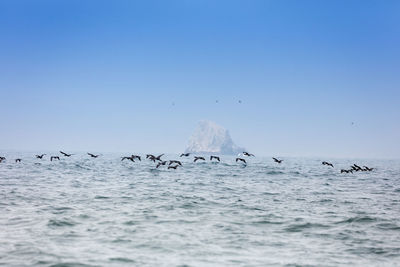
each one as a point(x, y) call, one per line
point(210, 138)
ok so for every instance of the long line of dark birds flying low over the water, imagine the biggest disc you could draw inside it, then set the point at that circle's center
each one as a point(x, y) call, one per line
point(174, 164)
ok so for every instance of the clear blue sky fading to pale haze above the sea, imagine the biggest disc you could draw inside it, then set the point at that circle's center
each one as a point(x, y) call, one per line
point(138, 75)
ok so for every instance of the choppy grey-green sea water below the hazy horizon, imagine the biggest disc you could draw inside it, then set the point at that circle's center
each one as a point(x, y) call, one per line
point(104, 212)
